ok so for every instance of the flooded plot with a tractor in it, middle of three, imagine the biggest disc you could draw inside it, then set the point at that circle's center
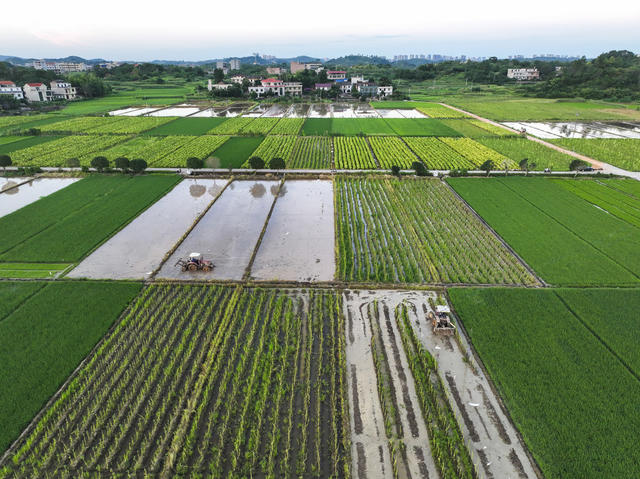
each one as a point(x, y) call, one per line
point(228, 233)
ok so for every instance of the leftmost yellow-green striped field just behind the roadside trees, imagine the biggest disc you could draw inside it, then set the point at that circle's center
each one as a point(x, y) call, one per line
point(58, 152)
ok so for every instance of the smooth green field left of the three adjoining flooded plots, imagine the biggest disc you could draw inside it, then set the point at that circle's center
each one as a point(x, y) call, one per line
point(66, 225)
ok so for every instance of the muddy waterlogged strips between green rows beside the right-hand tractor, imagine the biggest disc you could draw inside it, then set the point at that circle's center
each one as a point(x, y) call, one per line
point(373, 317)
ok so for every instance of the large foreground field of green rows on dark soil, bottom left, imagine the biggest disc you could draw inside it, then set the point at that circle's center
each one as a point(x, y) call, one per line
point(205, 379)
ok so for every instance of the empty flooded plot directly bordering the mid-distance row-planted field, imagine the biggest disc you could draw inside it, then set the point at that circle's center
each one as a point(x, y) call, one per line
point(299, 242)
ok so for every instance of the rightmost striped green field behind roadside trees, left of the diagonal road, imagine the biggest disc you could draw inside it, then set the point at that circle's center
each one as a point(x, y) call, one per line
point(519, 148)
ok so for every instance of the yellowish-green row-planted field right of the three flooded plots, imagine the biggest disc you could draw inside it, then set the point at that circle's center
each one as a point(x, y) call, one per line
point(416, 231)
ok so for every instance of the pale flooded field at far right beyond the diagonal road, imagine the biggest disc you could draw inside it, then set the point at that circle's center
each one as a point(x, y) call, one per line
point(595, 129)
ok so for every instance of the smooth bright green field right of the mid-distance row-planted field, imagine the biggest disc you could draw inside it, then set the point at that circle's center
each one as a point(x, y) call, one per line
point(564, 238)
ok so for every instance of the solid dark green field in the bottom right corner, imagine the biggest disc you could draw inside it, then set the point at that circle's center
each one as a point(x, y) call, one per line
point(563, 373)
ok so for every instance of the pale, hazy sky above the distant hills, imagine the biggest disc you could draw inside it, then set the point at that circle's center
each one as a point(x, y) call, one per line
point(190, 31)
